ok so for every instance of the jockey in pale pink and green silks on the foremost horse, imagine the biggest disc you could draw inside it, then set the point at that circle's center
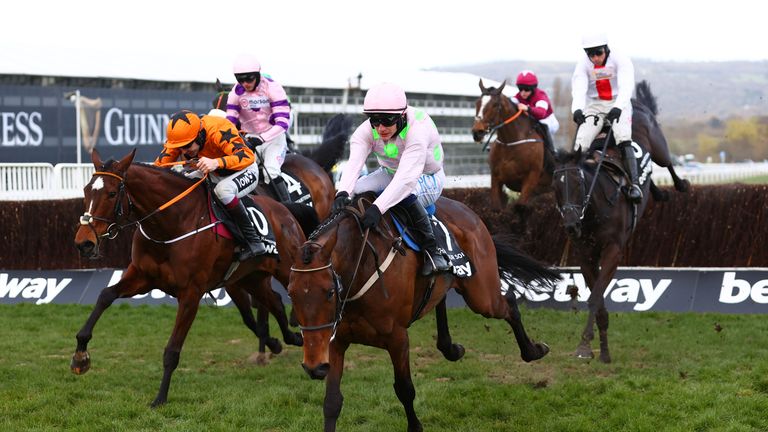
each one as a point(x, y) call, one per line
point(408, 148)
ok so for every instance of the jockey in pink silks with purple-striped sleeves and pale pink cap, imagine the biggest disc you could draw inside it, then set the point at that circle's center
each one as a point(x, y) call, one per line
point(260, 107)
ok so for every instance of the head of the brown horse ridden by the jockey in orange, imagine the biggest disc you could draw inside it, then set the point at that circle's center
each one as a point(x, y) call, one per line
point(106, 202)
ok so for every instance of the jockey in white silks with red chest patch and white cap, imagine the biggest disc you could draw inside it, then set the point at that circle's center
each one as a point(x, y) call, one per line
point(602, 86)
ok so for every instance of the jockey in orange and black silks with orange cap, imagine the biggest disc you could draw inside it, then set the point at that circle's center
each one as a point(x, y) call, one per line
point(220, 151)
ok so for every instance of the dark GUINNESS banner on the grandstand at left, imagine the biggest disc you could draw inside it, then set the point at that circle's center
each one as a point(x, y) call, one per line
point(39, 124)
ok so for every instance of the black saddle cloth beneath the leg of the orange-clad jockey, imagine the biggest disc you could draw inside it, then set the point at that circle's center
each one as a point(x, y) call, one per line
point(228, 228)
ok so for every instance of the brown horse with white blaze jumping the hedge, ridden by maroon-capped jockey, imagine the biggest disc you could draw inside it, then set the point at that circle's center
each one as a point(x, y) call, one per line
point(518, 157)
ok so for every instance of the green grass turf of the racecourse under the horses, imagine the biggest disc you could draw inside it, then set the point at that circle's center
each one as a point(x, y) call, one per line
point(671, 372)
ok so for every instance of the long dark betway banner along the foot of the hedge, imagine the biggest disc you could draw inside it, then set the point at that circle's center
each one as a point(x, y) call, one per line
point(739, 290)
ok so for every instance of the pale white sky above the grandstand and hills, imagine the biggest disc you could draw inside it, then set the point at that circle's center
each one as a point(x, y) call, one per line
point(188, 40)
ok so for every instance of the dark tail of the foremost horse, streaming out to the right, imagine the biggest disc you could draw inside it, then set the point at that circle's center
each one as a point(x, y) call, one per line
point(520, 269)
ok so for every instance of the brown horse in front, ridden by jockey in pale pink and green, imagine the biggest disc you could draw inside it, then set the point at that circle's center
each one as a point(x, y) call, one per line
point(343, 293)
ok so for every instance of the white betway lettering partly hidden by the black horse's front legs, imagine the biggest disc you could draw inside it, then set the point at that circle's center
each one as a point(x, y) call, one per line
point(644, 293)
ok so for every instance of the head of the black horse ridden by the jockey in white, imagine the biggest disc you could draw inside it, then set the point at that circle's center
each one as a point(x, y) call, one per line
point(569, 184)
